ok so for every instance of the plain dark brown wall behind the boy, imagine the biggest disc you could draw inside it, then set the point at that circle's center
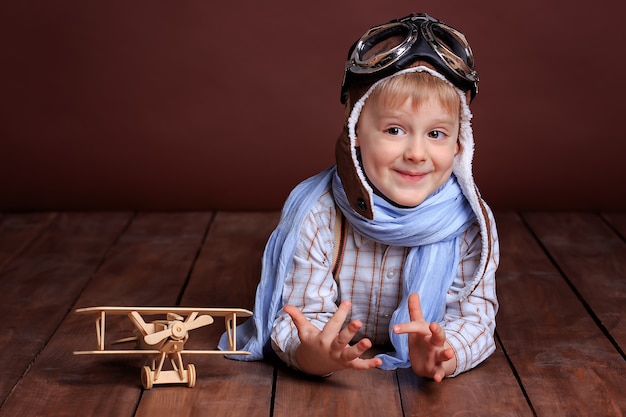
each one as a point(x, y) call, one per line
point(200, 104)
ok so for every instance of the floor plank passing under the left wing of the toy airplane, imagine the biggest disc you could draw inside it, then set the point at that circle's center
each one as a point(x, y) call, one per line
point(148, 266)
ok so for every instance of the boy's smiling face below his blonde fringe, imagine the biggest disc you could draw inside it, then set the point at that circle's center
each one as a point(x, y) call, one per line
point(408, 151)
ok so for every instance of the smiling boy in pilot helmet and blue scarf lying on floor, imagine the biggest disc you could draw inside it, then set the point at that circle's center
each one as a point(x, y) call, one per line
point(393, 245)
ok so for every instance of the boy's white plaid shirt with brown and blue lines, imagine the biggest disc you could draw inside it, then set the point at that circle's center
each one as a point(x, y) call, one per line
point(371, 278)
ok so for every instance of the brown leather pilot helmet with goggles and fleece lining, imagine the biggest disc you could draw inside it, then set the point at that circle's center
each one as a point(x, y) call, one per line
point(382, 52)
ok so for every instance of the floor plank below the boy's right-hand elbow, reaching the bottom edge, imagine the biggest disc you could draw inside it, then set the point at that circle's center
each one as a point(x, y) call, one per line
point(490, 389)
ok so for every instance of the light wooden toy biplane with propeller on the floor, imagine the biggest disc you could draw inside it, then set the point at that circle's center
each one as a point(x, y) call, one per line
point(165, 338)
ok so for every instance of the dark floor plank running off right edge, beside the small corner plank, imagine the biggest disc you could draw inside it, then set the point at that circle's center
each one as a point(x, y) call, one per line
point(593, 257)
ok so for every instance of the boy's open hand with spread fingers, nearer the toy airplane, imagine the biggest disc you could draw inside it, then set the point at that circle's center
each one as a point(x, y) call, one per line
point(324, 351)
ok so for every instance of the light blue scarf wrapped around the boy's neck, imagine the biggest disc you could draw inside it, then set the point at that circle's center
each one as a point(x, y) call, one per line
point(430, 230)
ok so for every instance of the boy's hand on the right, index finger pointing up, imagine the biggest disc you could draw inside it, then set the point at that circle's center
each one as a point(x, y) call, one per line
point(431, 356)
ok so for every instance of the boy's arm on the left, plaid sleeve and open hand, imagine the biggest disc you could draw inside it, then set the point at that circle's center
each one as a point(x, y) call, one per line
point(309, 332)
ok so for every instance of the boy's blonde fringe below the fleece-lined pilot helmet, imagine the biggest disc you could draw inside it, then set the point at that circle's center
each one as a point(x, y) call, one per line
point(419, 87)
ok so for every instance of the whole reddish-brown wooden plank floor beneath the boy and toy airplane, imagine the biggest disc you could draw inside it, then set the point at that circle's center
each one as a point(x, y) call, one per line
point(561, 325)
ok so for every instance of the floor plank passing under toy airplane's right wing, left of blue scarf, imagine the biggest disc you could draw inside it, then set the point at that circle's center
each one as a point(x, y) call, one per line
point(225, 275)
